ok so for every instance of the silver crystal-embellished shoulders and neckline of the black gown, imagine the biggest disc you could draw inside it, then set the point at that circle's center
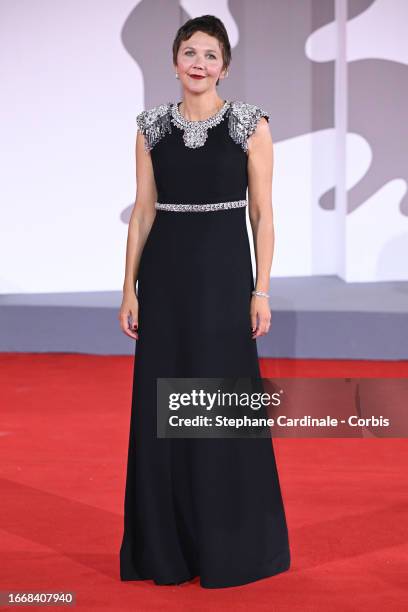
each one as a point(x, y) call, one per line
point(156, 122)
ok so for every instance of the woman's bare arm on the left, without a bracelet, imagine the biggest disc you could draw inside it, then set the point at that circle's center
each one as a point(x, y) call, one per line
point(141, 221)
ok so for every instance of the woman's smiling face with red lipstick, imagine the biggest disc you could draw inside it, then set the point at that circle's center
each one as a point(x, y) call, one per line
point(200, 54)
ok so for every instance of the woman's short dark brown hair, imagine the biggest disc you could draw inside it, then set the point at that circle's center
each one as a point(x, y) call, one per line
point(212, 26)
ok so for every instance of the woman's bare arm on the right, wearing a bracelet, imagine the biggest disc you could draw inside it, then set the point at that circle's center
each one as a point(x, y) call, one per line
point(260, 170)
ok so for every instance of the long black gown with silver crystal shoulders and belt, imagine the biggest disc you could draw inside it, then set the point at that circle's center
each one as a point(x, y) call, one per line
point(208, 507)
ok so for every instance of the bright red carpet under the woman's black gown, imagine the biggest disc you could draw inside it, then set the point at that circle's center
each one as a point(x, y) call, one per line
point(64, 434)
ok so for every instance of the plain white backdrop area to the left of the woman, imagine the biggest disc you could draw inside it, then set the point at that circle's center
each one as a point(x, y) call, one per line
point(71, 92)
